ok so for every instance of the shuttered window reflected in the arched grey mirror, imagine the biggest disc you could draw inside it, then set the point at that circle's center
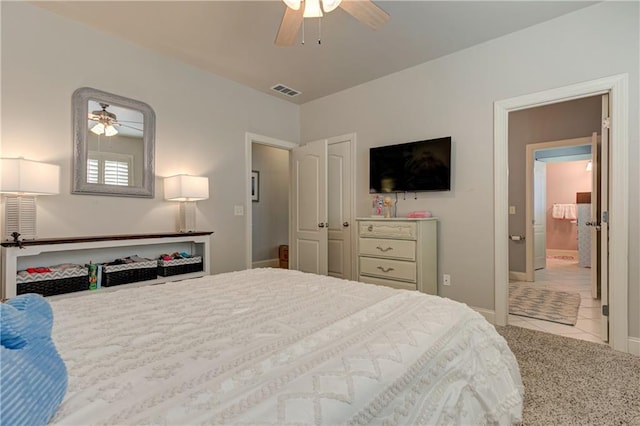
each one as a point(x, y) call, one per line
point(109, 168)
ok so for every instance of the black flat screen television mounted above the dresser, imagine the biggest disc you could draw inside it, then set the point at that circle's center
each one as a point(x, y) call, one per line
point(411, 167)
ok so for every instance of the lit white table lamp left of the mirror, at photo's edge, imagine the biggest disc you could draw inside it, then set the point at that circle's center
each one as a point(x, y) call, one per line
point(21, 181)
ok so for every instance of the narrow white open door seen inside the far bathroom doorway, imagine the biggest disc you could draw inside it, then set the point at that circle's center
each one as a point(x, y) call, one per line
point(539, 215)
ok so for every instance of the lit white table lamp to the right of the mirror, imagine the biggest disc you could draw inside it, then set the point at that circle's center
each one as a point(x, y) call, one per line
point(186, 189)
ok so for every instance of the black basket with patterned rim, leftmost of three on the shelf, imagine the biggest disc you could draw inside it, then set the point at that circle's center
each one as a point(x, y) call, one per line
point(54, 282)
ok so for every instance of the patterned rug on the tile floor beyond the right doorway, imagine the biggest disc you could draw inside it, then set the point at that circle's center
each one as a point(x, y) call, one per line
point(533, 301)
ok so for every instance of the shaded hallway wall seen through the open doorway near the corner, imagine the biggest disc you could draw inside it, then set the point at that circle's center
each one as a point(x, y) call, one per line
point(270, 215)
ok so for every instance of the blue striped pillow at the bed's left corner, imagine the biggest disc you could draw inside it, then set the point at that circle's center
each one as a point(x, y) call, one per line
point(33, 377)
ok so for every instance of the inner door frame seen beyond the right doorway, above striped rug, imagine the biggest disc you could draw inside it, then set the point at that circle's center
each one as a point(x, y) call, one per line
point(531, 149)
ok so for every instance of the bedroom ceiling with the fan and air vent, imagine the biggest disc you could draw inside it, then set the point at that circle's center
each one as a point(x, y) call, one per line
point(234, 39)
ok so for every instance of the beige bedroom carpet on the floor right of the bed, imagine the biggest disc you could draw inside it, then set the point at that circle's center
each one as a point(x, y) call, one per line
point(573, 382)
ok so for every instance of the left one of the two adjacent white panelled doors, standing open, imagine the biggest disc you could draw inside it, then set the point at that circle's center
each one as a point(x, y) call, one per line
point(309, 200)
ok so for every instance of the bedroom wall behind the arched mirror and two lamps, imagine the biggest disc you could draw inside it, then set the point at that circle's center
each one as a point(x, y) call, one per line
point(201, 124)
